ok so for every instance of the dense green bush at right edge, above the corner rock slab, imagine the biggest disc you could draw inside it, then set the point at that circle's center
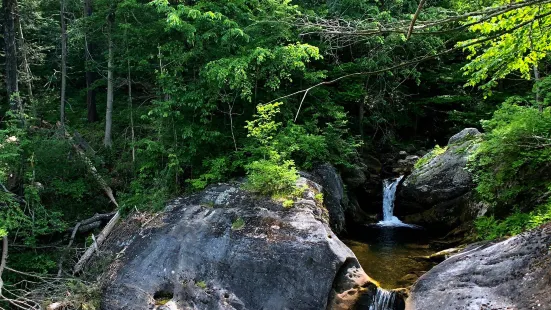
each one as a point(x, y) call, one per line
point(511, 168)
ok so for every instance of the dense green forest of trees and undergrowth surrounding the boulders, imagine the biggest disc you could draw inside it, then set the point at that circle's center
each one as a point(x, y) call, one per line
point(111, 108)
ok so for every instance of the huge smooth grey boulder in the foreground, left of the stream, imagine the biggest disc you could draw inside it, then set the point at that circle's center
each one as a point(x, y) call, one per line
point(200, 253)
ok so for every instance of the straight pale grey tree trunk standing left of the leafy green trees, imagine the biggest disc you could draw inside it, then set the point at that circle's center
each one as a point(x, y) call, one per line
point(107, 141)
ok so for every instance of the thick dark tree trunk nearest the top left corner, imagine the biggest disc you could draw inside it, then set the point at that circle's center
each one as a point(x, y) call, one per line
point(10, 46)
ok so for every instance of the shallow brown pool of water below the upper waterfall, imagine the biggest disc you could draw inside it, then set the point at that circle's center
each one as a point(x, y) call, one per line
point(390, 255)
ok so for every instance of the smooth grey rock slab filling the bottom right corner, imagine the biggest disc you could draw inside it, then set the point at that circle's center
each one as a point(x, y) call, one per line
point(512, 274)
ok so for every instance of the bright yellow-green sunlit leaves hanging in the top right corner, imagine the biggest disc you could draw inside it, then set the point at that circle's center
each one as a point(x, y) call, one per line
point(517, 51)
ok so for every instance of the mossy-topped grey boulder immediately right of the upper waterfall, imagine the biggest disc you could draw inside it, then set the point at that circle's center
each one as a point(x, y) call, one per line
point(438, 193)
